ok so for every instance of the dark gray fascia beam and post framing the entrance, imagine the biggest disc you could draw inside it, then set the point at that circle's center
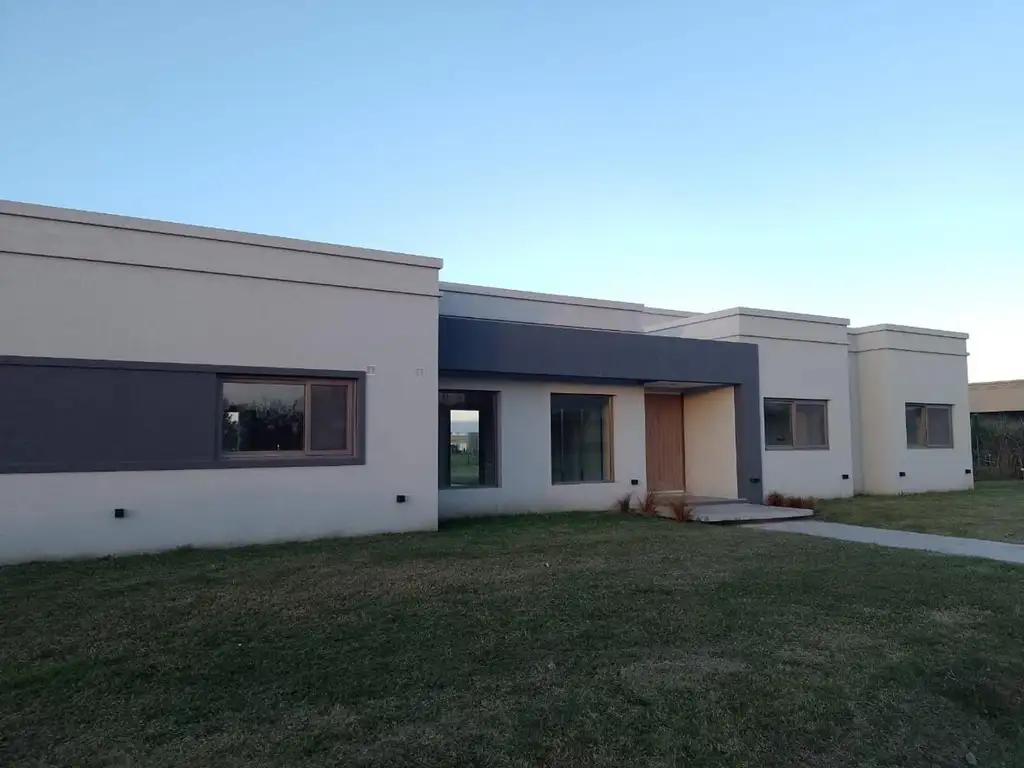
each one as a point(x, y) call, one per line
point(500, 350)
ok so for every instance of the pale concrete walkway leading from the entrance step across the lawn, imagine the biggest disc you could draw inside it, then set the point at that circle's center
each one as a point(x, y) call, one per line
point(948, 545)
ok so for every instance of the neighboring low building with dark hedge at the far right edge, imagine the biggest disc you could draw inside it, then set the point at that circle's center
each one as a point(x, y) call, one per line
point(998, 429)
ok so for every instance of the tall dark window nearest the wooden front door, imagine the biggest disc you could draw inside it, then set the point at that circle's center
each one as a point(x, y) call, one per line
point(581, 439)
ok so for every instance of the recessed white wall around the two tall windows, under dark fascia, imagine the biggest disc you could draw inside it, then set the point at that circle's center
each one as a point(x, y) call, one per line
point(525, 452)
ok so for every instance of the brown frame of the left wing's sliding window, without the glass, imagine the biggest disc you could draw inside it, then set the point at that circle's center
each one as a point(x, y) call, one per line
point(354, 452)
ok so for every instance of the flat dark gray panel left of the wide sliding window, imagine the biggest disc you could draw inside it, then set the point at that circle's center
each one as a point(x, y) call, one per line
point(60, 418)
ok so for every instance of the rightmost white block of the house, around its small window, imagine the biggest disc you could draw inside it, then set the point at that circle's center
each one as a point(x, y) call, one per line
point(897, 366)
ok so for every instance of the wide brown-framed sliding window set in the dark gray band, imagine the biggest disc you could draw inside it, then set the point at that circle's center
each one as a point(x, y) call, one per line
point(261, 418)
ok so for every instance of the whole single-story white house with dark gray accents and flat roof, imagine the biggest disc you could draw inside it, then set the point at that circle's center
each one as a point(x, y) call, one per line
point(169, 386)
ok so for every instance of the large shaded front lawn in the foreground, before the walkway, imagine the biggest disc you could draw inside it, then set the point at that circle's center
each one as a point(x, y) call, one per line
point(564, 641)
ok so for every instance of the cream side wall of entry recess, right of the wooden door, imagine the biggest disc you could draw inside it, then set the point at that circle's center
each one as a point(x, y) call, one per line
point(710, 443)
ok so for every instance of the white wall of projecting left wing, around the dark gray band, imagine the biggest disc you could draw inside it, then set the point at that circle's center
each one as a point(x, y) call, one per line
point(88, 291)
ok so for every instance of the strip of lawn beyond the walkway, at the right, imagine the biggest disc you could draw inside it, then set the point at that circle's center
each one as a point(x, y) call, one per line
point(995, 510)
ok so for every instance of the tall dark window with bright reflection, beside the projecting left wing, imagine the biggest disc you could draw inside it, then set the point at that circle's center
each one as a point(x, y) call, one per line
point(468, 431)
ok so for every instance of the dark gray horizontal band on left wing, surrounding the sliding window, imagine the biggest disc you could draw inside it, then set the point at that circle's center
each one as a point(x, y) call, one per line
point(60, 415)
